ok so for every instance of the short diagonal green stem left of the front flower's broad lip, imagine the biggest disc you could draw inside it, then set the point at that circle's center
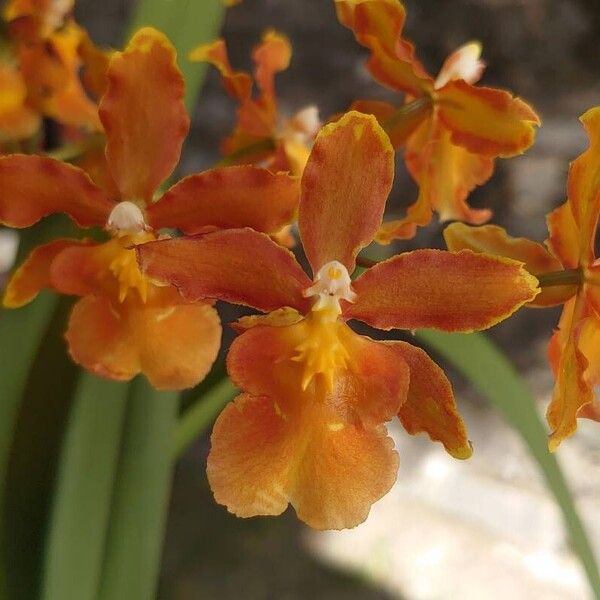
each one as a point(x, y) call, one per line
point(200, 415)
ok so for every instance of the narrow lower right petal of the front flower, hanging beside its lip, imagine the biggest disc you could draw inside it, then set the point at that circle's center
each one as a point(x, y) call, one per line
point(430, 406)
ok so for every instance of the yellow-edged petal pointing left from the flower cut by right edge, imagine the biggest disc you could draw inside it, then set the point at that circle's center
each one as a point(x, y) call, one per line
point(491, 239)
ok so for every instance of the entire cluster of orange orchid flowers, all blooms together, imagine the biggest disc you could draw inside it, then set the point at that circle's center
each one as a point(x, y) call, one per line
point(309, 426)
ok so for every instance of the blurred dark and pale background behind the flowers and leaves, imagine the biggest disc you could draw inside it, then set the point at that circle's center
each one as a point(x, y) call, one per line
point(485, 528)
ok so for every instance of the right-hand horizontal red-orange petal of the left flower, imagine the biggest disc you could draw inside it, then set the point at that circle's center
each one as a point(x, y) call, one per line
point(229, 198)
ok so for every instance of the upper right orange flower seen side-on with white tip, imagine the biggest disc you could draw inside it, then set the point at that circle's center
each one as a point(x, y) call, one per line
point(453, 130)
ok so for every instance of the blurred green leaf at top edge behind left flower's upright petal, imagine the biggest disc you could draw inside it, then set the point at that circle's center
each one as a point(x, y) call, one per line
point(187, 23)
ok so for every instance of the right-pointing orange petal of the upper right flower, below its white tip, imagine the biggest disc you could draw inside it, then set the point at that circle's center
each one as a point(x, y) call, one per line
point(486, 120)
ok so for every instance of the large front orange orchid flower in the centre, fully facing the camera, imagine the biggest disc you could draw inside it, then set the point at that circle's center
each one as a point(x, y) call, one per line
point(309, 428)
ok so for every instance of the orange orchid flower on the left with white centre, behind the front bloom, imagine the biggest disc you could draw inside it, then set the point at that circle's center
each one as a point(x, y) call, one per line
point(124, 323)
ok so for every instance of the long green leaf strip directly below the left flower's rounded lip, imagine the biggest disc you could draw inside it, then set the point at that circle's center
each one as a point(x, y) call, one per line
point(141, 494)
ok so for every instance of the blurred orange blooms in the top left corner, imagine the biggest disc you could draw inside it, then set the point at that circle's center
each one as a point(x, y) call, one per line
point(41, 74)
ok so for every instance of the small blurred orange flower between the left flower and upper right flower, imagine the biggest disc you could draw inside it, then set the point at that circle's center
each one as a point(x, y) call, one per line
point(261, 135)
